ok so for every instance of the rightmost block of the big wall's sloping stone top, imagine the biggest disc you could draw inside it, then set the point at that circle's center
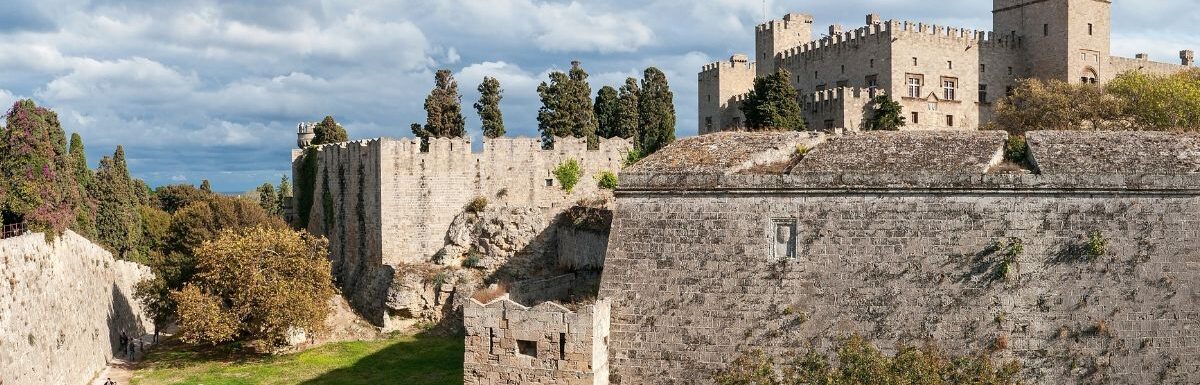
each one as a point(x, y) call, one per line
point(1115, 153)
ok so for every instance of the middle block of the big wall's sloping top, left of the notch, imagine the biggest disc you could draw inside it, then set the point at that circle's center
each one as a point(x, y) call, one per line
point(945, 153)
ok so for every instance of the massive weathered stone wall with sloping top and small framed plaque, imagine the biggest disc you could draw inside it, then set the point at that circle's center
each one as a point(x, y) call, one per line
point(735, 242)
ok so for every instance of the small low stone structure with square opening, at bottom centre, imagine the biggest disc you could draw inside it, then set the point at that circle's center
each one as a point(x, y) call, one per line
point(547, 344)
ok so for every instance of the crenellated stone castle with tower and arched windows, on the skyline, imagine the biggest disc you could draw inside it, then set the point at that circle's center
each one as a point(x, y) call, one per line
point(944, 77)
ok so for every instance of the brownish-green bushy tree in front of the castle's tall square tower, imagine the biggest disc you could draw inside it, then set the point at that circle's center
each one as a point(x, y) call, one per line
point(1057, 105)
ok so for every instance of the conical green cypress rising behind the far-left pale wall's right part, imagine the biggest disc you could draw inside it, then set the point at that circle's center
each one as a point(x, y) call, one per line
point(118, 224)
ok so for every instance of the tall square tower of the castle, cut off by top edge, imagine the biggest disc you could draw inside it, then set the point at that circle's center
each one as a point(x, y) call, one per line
point(1065, 40)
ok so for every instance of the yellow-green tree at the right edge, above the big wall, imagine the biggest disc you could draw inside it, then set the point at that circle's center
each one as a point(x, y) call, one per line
point(1160, 103)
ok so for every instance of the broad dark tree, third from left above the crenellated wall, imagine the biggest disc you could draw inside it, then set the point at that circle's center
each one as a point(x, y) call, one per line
point(567, 107)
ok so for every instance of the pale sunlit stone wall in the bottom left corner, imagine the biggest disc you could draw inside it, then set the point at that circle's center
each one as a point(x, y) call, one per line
point(63, 309)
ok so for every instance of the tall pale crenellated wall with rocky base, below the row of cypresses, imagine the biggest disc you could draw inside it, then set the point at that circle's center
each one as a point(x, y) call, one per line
point(387, 207)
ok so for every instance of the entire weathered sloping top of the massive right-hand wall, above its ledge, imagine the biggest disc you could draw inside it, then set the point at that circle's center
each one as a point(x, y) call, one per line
point(1063, 163)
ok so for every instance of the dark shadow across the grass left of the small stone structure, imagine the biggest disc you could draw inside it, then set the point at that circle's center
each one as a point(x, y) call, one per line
point(425, 359)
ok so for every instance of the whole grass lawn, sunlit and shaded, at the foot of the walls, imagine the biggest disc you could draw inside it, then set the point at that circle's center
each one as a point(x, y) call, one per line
point(411, 360)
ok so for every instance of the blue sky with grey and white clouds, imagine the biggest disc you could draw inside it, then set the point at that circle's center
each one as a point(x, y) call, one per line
point(214, 89)
